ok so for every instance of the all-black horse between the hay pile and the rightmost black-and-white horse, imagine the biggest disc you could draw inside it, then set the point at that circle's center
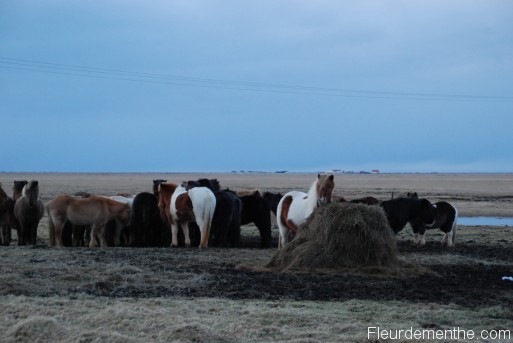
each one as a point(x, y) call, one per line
point(400, 211)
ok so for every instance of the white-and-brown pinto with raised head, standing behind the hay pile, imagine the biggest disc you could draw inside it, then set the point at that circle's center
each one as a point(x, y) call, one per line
point(295, 206)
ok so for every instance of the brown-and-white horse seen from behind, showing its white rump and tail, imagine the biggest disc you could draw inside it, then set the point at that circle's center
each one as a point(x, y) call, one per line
point(197, 204)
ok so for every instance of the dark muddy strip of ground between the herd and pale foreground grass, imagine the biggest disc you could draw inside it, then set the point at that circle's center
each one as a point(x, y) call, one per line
point(165, 272)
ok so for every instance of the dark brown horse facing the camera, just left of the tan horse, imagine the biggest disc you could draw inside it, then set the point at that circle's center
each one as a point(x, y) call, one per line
point(28, 211)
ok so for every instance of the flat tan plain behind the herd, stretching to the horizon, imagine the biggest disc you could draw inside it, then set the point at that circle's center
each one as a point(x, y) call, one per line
point(472, 194)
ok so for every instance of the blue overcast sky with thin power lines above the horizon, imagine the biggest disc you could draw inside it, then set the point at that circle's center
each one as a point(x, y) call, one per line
point(205, 86)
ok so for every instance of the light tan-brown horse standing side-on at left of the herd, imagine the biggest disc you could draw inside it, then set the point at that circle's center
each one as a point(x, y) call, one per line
point(94, 211)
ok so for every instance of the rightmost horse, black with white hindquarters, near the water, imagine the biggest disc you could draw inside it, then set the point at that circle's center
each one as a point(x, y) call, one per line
point(446, 219)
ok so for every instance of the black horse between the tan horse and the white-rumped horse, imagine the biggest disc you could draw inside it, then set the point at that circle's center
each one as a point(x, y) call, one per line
point(146, 228)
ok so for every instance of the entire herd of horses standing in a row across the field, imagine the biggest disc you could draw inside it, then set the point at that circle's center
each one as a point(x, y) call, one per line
point(195, 213)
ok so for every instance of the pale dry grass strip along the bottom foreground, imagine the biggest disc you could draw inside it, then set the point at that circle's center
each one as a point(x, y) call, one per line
point(93, 319)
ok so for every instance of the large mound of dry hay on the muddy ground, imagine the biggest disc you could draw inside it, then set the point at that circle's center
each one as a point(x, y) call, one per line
point(340, 236)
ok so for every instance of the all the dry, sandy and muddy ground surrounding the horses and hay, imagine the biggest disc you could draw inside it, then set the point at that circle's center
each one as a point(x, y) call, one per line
point(186, 295)
